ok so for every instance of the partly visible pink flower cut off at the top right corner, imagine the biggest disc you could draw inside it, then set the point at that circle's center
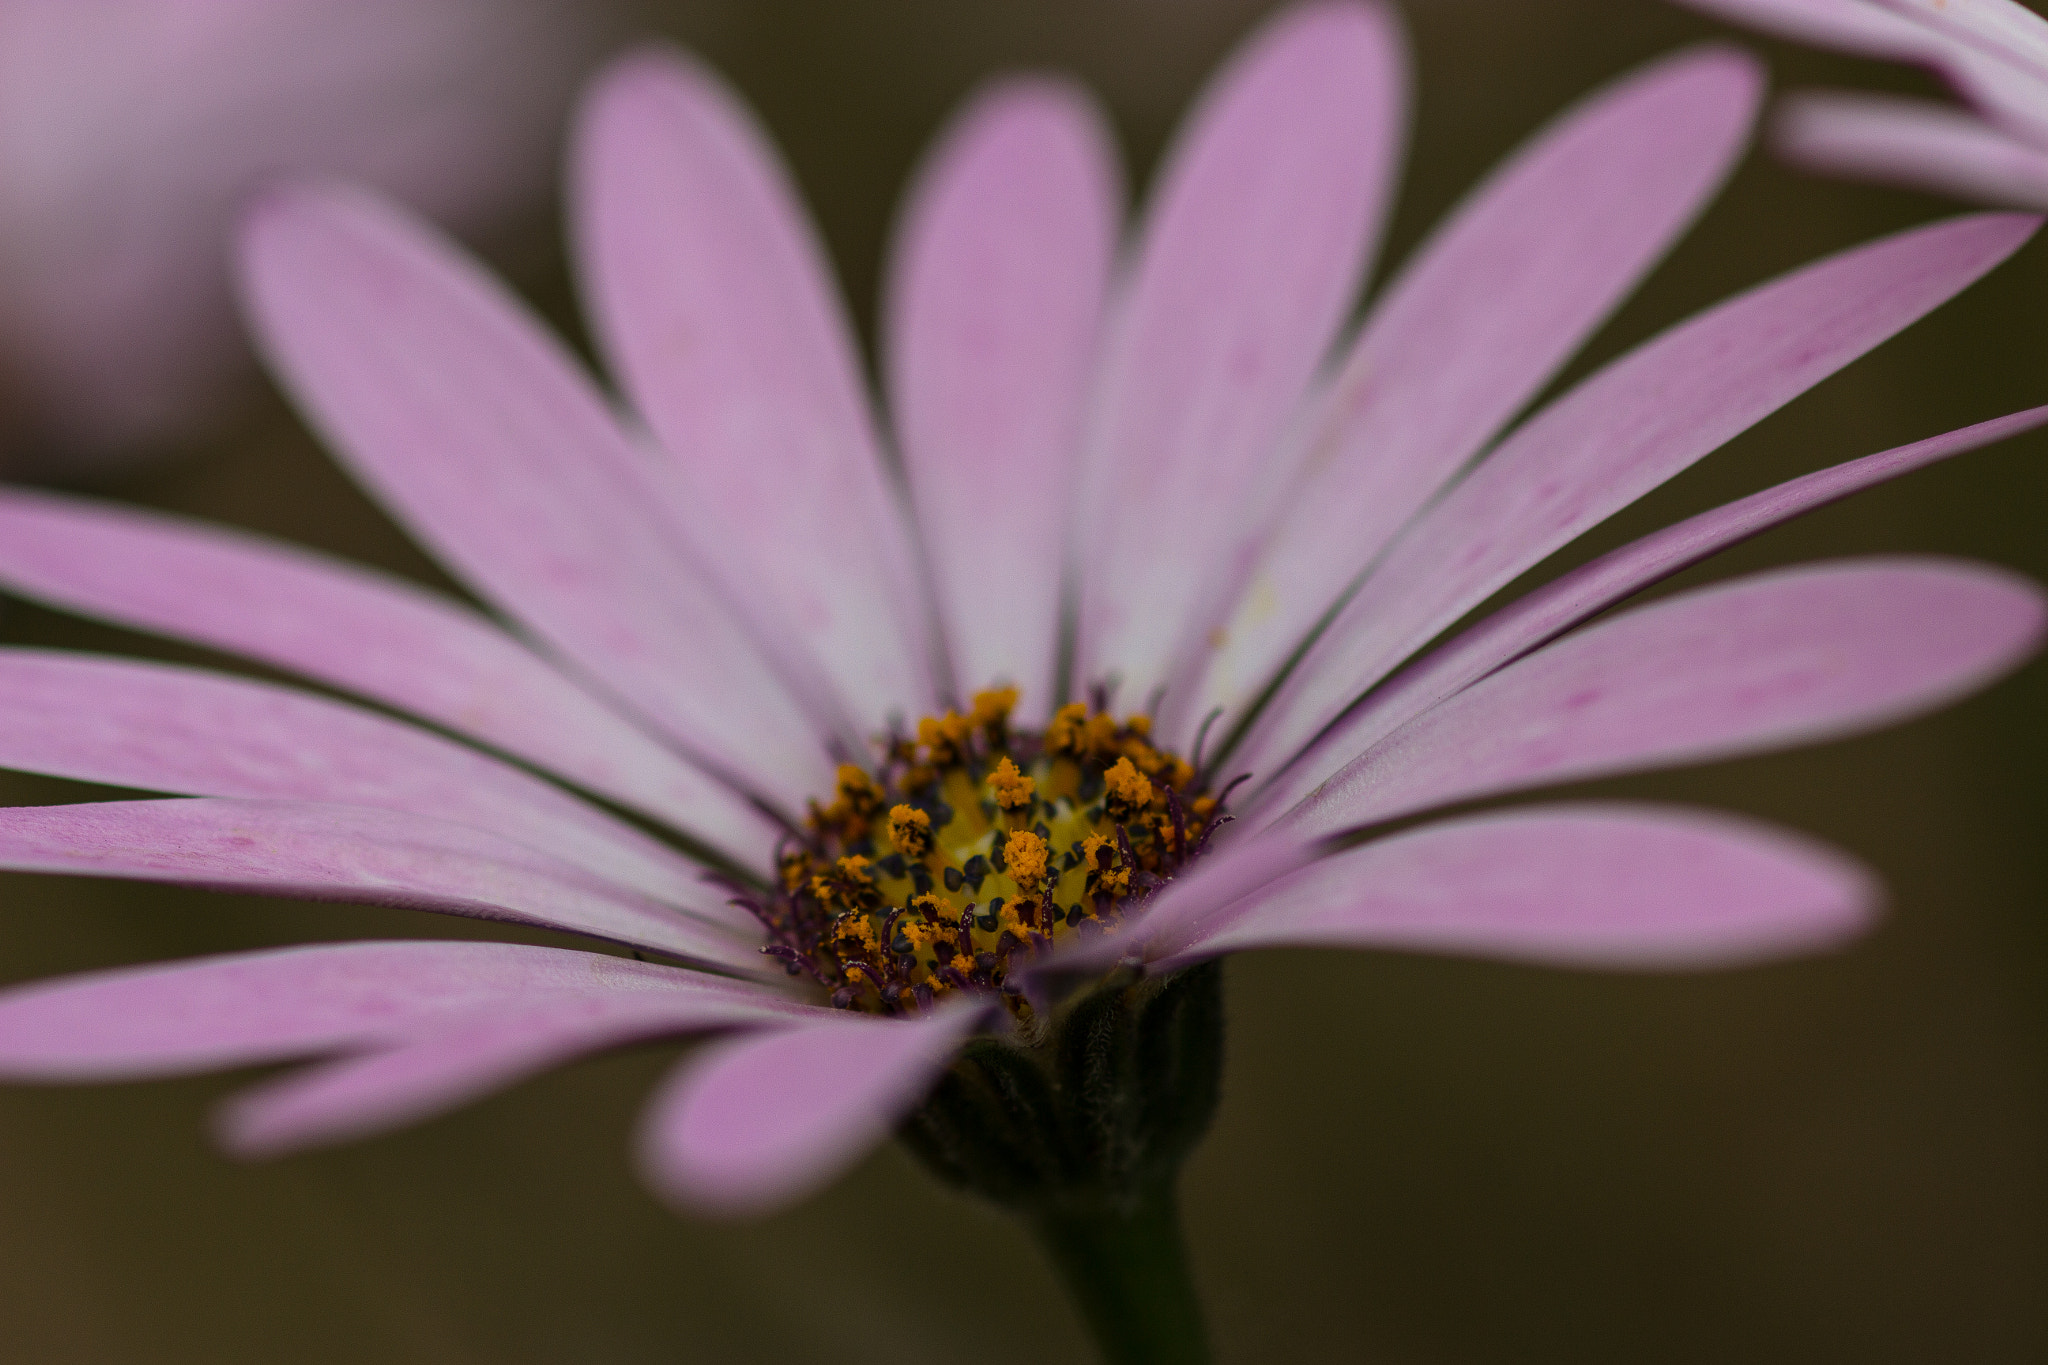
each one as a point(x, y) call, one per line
point(1994, 54)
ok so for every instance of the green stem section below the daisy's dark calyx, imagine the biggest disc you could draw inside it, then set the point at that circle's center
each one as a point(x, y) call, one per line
point(1127, 1270)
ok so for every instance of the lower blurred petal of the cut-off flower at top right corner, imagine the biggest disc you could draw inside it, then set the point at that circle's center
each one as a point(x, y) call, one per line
point(1916, 144)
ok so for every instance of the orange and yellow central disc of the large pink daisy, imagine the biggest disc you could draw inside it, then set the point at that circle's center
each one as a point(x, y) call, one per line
point(996, 844)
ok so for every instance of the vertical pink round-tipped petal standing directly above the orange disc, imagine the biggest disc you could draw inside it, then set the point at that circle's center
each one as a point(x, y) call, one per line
point(992, 328)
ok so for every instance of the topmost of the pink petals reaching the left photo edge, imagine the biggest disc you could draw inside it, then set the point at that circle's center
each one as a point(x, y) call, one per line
point(364, 633)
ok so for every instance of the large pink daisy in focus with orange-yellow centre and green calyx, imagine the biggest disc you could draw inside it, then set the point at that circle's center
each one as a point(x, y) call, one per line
point(835, 666)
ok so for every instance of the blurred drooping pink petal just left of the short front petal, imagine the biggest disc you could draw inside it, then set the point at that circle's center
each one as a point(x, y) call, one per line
point(458, 1061)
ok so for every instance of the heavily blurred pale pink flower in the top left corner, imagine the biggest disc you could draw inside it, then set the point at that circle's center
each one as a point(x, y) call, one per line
point(130, 132)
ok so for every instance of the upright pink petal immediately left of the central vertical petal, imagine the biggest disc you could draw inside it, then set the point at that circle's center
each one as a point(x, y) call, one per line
point(716, 310)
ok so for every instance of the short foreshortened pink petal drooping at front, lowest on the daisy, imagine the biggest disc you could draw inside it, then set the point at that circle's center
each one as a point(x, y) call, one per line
point(761, 1122)
